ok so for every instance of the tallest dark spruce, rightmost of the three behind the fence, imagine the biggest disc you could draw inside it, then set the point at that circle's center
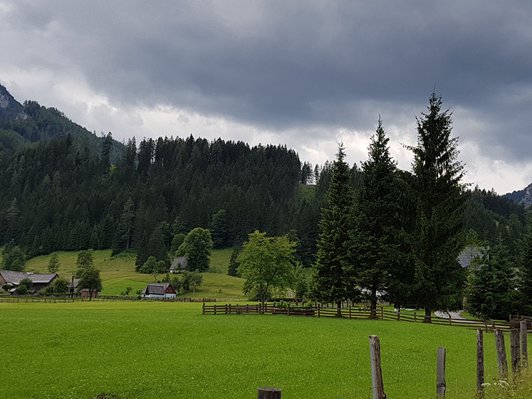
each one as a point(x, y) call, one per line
point(437, 236)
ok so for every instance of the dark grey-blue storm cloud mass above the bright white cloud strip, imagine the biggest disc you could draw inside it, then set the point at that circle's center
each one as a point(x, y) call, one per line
point(282, 64)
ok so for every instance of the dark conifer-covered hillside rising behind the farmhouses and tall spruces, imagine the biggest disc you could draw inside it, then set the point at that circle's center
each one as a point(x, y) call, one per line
point(64, 188)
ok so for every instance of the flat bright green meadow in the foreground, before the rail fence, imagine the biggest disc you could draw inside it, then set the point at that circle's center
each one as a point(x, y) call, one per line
point(151, 350)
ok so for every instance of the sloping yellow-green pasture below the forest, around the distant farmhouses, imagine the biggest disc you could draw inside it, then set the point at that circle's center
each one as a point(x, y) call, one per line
point(118, 273)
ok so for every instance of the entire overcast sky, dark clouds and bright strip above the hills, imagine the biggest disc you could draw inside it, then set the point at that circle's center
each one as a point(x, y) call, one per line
point(308, 74)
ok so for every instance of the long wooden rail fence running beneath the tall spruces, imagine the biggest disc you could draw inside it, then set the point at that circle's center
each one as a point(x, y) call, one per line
point(350, 312)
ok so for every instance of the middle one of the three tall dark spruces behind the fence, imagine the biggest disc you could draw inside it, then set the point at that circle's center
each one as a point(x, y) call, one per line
point(374, 235)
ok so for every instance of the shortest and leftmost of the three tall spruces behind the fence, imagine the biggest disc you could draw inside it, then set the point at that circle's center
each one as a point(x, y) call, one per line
point(333, 274)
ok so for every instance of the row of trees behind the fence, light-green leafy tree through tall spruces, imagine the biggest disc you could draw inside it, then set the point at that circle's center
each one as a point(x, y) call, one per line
point(395, 235)
